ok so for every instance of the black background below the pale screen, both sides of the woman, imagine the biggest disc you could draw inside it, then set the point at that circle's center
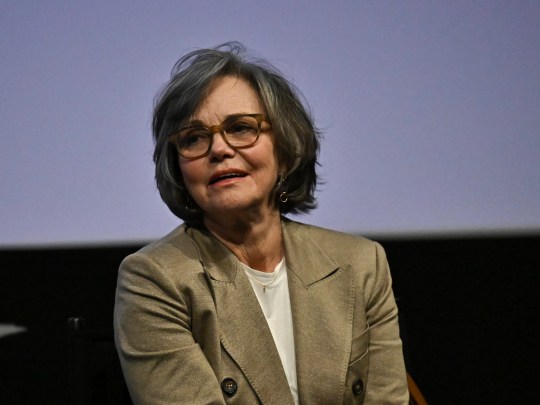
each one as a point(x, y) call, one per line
point(468, 307)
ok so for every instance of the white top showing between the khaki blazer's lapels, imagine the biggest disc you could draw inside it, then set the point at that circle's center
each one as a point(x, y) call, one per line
point(272, 291)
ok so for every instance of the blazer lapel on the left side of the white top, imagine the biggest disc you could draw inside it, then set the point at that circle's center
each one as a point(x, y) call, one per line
point(244, 332)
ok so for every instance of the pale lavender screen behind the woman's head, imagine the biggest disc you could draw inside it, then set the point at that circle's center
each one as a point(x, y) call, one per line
point(430, 110)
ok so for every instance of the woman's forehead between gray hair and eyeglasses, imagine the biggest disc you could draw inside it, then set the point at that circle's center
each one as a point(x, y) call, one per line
point(226, 96)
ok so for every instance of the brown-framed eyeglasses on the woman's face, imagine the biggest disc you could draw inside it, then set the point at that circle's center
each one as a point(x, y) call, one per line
point(239, 131)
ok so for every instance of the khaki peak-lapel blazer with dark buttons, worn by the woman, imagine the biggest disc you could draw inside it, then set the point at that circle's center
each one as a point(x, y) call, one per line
point(186, 319)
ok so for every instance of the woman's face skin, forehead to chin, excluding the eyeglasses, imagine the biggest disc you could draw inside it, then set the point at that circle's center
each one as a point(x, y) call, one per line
point(229, 181)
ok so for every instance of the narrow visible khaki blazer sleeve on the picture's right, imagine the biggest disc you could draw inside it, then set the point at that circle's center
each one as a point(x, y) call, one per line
point(387, 381)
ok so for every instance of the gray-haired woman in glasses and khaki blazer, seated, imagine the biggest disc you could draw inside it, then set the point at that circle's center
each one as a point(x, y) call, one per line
point(240, 305)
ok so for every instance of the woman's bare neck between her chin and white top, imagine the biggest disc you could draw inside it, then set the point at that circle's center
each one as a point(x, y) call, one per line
point(257, 242)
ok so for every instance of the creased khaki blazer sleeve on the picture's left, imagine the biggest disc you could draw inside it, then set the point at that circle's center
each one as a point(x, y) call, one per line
point(161, 361)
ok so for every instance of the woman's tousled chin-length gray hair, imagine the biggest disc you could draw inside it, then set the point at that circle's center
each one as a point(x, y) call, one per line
point(296, 138)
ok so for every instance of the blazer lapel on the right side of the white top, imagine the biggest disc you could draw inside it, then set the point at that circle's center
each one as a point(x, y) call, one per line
point(322, 298)
